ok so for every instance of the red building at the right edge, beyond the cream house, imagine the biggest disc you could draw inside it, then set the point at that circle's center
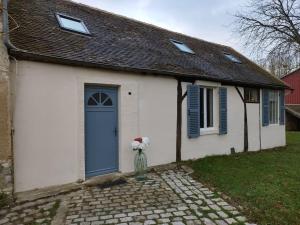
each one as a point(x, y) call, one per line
point(292, 101)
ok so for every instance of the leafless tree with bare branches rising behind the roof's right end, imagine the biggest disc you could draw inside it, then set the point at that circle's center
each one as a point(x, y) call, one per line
point(272, 28)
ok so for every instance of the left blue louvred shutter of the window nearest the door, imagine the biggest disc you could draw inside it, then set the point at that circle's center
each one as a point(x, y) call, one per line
point(193, 111)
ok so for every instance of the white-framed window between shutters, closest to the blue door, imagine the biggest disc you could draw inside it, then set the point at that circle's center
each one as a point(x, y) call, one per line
point(206, 107)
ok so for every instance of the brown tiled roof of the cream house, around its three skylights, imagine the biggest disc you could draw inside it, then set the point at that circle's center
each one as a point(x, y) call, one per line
point(120, 43)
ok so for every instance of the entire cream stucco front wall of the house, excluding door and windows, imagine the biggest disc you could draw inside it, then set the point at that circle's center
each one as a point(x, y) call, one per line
point(49, 122)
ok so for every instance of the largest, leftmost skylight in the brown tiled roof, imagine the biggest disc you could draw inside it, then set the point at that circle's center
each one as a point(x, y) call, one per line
point(72, 24)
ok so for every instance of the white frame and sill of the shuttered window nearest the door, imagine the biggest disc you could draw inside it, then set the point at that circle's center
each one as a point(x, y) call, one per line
point(205, 129)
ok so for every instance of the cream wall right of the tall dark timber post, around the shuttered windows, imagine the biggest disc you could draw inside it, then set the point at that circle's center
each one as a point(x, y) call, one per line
point(215, 144)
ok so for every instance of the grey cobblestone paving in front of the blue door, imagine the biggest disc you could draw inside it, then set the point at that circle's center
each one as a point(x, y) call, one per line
point(171, 197)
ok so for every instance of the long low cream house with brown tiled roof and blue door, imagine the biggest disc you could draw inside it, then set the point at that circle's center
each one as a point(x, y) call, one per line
point(85, 82)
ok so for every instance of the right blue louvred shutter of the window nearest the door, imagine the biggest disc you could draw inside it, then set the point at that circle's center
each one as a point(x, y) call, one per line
point(223, 110)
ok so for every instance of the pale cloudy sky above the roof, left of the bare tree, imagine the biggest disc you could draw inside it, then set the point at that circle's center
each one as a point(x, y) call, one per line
point(206, 19)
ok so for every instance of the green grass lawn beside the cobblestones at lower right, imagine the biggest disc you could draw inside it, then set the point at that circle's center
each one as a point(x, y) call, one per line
point(266, 184)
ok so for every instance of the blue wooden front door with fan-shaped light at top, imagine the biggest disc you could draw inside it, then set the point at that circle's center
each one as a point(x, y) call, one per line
point(101, 130)
